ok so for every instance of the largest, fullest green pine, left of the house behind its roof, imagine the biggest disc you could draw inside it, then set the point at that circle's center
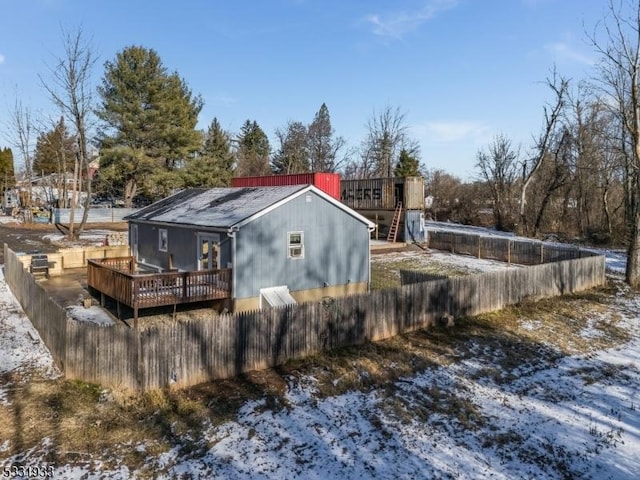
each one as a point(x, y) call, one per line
point(149, 117)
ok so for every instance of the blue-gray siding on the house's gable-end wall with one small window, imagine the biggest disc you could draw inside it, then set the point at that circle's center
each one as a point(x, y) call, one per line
point(336, 248)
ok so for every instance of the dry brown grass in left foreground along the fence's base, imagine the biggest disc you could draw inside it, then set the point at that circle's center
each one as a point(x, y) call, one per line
point(83, 420)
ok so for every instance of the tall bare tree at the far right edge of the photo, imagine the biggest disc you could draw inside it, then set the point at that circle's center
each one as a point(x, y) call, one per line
point(619, 77)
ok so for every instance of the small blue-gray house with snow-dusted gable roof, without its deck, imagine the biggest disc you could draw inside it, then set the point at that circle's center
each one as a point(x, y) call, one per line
point(283, 244)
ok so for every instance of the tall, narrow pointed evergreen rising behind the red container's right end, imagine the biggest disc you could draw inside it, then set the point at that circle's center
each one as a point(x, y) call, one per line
point(323, 147)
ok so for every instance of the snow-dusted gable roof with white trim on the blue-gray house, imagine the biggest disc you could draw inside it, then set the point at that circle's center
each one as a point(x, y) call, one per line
point(227, 207)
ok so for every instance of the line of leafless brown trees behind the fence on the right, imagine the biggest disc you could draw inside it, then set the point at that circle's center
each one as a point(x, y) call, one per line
point(571, 181)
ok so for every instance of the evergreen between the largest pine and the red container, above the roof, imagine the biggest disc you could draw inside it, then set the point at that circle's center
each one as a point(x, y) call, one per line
point(213, 165)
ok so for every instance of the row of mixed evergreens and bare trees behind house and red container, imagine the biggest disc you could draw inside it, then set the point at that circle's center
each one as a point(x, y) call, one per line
point(141, 120)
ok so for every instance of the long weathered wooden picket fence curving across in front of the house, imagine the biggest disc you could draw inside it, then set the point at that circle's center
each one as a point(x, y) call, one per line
point(191, 352)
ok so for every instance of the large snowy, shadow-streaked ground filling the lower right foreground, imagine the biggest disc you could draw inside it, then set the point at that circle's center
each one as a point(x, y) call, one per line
point(547, 424)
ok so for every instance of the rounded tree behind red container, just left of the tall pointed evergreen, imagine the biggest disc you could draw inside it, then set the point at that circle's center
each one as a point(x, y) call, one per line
point(292, 156)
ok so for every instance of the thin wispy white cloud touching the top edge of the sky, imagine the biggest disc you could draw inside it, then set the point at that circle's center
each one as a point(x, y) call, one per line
point(398, 24)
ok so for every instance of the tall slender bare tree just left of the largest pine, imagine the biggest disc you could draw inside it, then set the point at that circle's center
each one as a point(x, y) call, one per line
point(70, 89)
